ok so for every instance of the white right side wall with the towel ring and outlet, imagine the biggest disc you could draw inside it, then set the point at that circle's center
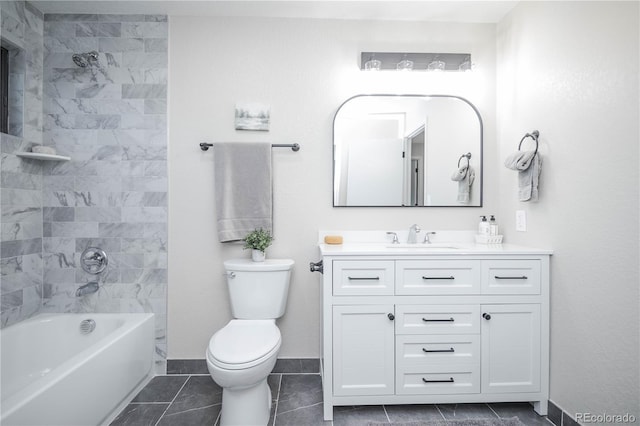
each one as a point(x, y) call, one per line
point(570, 70)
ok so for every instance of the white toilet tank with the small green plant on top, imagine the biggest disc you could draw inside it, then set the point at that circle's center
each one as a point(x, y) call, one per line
point(258, 290)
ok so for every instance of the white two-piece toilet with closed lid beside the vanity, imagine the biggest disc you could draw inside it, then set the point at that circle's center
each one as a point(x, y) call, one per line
point(241, 355)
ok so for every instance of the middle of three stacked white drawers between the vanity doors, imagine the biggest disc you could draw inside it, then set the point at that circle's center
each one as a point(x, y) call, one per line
point(437, 349)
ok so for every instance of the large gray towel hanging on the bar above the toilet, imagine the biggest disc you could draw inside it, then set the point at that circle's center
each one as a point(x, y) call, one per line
point(243, 189)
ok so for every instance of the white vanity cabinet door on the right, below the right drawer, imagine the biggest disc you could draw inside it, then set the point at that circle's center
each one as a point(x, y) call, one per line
point(510, 342)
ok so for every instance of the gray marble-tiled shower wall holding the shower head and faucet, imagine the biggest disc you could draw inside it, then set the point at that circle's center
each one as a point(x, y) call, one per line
point(111, 119)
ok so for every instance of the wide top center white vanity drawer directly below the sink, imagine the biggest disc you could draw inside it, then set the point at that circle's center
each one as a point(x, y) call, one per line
point(424, 277)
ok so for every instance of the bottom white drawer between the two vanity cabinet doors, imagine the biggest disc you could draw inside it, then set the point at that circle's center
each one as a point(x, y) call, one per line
point(416, 380)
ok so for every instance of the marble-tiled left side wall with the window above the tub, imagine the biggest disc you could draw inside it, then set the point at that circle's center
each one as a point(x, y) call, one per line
point(21, 30)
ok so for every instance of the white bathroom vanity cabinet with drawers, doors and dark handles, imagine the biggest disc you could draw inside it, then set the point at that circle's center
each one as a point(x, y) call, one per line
point(437, 327)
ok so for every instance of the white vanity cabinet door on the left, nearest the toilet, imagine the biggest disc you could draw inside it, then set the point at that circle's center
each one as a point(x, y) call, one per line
point(363, 350)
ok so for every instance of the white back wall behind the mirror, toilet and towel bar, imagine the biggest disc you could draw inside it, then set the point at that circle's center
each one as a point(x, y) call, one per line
point(304, 69)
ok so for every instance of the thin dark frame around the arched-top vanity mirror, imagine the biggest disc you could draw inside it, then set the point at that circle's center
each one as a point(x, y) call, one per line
point(478, 176)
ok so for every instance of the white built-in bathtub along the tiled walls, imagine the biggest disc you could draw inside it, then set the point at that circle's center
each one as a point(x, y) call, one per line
point(52, 374)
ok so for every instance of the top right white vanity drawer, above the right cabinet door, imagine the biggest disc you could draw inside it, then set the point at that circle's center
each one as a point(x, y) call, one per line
point(511, 277)
